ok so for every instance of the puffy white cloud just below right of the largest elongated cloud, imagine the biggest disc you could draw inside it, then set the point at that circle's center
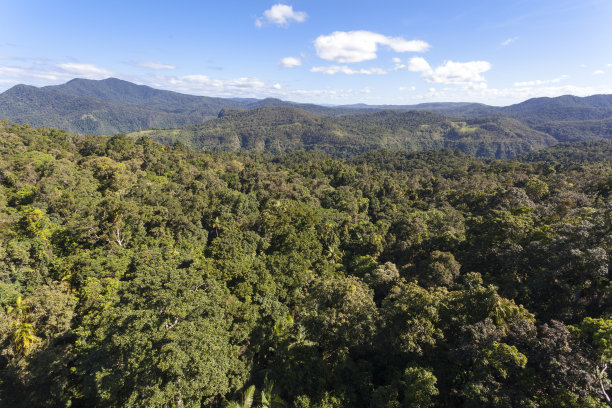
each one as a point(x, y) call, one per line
point(456, 73)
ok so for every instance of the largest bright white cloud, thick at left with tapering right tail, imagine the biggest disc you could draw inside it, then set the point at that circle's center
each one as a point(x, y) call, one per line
point(357, 46)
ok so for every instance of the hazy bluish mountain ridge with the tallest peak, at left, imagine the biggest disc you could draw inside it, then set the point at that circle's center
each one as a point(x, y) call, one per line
point(113, 105)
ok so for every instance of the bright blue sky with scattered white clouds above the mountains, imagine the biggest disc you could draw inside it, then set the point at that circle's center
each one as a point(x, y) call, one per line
point(325, 52)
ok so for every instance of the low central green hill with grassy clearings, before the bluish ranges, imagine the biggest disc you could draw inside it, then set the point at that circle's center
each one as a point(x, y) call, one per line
point(283, 129)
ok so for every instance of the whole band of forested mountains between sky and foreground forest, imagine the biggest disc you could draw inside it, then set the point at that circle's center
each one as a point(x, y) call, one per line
point(115, 106)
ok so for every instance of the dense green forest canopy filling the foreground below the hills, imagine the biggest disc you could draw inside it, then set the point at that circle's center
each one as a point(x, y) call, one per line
point(134, 273)
